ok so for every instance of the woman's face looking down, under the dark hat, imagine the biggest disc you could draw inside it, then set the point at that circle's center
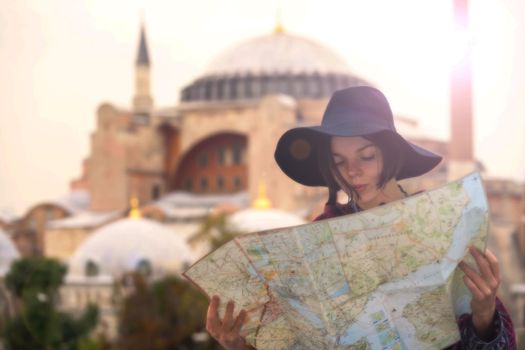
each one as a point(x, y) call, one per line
point(360, 163)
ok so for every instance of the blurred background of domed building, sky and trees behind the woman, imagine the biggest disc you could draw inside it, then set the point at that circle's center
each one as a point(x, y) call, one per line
point(137, 136)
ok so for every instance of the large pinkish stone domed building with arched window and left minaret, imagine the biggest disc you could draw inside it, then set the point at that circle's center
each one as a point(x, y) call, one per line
point(220, 137)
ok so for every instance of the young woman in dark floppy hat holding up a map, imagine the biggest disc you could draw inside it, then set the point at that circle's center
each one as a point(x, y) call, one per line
point(356, 149)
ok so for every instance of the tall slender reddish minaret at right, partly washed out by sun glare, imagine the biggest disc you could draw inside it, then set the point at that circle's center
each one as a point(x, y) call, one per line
point(461, 155)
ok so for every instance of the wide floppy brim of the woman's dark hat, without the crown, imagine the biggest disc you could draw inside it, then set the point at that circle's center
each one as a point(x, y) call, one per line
point(296, 153)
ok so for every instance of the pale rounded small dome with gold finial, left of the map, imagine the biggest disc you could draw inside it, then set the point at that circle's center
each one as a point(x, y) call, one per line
point(130, 245)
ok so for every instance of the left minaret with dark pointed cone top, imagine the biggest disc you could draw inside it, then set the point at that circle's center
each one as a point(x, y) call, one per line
point(142, 101)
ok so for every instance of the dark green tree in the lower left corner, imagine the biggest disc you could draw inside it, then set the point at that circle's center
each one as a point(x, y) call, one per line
point(38, 323)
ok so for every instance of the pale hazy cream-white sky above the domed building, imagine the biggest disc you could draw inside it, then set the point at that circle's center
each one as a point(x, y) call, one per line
point(61, 59)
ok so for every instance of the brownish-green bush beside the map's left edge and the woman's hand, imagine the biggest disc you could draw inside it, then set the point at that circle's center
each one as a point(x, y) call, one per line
point(163, 316)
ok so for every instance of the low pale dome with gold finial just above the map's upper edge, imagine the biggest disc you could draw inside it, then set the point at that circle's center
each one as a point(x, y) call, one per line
point(253, 220)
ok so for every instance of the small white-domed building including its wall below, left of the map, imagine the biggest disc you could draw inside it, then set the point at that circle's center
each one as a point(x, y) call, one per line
point(97, 269)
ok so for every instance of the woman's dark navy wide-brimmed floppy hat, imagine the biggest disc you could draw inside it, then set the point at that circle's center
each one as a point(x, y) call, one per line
point(355, 111)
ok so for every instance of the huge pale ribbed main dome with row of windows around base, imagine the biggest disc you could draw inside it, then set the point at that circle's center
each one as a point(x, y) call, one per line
point(275, 63)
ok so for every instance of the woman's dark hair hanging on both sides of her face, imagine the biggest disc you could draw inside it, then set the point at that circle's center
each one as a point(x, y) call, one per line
point(391, 151)
